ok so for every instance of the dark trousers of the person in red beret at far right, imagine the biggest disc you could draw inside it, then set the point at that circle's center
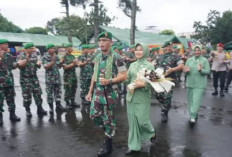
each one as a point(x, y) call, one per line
point(221, 75)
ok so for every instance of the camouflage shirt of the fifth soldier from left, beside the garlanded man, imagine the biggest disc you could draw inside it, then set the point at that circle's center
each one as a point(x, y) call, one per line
point(87, 70)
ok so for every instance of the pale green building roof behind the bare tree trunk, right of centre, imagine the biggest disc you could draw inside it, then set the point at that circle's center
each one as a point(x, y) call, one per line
point(147, 38)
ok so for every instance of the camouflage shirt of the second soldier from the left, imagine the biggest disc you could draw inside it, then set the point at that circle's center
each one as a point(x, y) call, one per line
point(29, 71)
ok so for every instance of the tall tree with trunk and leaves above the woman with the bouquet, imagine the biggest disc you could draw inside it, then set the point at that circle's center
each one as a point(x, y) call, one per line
point(130, 8)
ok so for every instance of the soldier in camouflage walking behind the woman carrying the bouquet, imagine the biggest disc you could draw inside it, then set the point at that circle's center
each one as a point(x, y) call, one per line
point(171, 63)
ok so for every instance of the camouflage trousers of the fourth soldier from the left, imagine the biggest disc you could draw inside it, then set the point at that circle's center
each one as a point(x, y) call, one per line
point(70, 91)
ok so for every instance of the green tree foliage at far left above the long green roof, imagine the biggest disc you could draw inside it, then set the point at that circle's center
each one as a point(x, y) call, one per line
point(7, 26)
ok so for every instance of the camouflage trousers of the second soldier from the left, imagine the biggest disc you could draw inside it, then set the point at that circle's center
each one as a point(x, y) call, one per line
point(29, 89)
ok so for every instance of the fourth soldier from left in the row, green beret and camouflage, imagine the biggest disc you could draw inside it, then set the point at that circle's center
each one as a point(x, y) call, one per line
point(70, 78)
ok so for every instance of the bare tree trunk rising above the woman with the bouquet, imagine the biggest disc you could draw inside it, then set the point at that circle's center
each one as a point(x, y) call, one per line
point(133, 18)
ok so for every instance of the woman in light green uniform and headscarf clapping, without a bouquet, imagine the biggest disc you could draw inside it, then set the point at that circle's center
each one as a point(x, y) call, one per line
point(197, 69)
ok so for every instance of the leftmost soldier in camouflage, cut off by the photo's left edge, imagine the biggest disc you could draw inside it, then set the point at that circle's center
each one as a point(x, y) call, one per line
point(7, 81)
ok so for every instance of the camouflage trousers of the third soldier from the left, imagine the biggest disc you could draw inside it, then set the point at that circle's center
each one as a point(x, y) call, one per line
point(53, 92)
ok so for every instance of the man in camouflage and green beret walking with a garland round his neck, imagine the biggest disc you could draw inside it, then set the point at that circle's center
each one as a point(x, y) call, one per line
point(109, 70)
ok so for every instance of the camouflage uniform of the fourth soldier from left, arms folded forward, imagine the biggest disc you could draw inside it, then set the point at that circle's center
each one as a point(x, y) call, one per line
point(70, 79)
